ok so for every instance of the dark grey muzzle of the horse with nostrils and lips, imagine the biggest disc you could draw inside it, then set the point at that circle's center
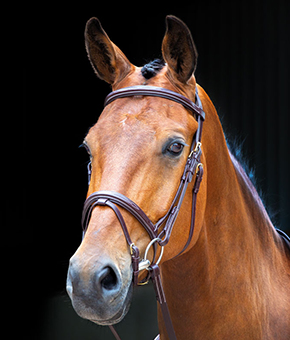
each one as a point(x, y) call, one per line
point(99, 291)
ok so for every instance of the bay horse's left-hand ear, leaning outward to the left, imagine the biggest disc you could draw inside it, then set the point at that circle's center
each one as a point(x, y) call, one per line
point(108, 61)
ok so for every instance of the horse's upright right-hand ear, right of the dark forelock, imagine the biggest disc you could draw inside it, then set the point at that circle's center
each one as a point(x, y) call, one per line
point(178, 49)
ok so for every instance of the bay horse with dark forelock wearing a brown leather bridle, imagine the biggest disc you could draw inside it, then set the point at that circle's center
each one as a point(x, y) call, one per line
point(229, 277)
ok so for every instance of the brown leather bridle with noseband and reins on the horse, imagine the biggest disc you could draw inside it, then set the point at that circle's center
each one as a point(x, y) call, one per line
point(160, 232)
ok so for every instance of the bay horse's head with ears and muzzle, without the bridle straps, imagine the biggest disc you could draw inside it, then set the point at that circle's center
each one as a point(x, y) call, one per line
point(138, 148)
